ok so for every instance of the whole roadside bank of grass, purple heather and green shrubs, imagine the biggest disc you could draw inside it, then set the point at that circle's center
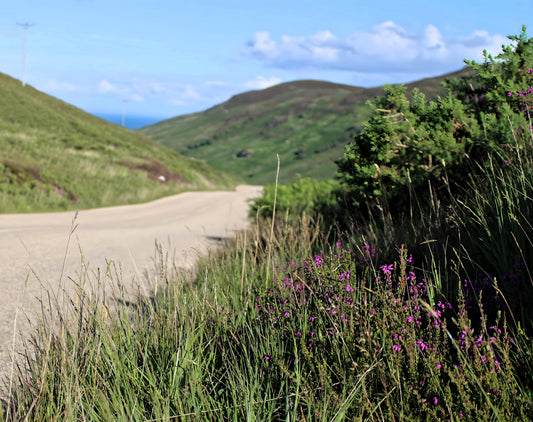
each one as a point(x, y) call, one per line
point(400, 292)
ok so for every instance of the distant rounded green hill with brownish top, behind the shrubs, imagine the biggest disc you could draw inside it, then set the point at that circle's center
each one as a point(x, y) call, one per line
point(307, 123)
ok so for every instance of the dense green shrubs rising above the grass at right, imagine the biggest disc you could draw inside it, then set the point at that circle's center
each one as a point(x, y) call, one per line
point(410, 142)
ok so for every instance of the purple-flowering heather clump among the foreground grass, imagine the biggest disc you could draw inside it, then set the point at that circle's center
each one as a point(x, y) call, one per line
point(422, 349)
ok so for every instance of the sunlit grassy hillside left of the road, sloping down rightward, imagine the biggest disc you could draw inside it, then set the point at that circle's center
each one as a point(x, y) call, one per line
point(55, 156)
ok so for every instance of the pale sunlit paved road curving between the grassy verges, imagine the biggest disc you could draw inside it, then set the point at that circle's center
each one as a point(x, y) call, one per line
point(33, 247)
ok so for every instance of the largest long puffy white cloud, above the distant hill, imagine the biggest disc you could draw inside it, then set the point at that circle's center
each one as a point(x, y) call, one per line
point(387, 48)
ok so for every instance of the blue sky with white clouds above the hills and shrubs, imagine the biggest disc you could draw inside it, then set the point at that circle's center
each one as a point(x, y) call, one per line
point(170, 57)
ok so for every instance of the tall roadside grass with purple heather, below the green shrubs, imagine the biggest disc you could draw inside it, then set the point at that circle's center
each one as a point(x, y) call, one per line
point(427, 320)
